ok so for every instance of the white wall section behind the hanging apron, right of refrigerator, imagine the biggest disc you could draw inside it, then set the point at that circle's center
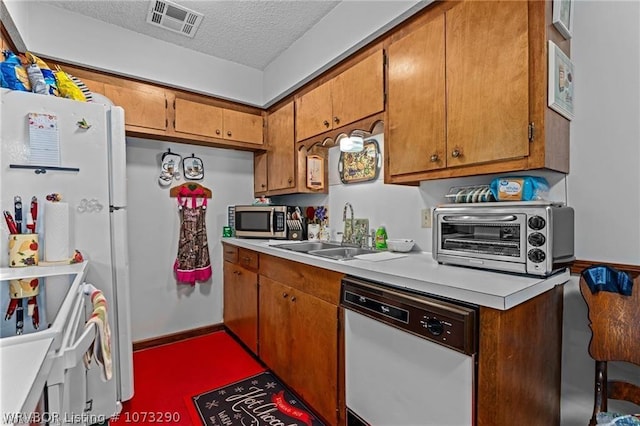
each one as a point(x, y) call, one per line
point(160, 306)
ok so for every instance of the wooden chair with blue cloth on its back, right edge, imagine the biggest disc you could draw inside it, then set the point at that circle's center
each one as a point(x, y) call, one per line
point(614, 320)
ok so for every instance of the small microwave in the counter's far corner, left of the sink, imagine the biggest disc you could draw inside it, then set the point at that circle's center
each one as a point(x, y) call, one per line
point(261, 221)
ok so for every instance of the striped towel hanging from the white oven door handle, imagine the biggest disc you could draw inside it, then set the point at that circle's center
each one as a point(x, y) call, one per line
point(100, 348)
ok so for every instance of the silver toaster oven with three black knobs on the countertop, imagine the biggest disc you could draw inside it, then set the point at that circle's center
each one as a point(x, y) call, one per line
point(533, 238)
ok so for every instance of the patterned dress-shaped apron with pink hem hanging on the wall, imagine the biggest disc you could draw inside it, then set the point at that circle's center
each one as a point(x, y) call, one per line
point(192, 263)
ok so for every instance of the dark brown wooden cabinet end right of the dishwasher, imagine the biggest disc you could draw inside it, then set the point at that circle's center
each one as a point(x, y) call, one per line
point(520, 356)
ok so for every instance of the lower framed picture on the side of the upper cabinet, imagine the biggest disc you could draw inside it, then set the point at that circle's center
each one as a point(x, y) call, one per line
point(561, 82)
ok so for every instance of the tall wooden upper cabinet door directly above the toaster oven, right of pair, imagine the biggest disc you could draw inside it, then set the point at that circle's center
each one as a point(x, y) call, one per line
point(487, 82)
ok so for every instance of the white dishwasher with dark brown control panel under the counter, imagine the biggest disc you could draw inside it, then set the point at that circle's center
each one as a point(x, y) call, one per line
point(410, 359)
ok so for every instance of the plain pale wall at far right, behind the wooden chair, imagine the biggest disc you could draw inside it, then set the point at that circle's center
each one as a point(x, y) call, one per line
point(604, 182)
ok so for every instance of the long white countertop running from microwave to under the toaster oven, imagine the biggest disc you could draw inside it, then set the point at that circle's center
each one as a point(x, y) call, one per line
point(420, 272)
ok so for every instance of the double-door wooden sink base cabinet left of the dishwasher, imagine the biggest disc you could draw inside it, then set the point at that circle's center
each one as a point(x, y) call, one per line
point(299, 331)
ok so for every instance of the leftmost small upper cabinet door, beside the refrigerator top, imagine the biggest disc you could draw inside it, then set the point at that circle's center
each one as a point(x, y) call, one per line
point(144, 106)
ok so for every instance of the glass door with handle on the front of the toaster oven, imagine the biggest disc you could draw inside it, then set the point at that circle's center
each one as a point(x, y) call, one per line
point(499, 237)
